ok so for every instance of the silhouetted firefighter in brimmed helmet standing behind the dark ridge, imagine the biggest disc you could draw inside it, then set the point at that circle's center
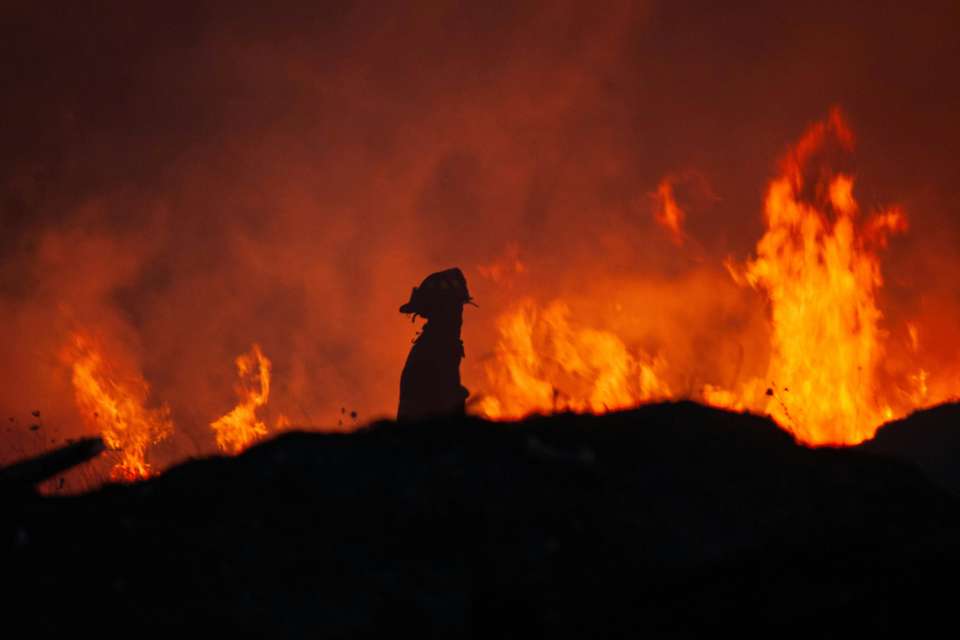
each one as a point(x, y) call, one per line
point(430, 383)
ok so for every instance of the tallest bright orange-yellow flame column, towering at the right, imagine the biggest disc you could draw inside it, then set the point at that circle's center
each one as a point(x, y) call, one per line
point(820, 274)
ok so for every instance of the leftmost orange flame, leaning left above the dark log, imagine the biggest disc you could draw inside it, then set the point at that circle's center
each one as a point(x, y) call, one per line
point(113, 404)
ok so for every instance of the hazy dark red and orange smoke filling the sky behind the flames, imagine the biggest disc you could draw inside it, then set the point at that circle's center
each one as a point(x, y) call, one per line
point(185, 182)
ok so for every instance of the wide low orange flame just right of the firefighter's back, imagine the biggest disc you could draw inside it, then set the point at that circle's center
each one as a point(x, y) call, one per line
point(544, 363)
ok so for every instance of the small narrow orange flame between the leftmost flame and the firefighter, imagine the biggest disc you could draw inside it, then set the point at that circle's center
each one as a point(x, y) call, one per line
point(240, 428)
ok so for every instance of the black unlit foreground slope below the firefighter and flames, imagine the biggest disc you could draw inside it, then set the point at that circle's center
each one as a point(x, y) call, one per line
point(668, 520)
